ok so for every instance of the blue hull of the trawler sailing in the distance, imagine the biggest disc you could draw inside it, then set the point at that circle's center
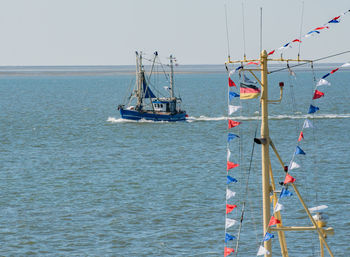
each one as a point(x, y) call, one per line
point(135, 115)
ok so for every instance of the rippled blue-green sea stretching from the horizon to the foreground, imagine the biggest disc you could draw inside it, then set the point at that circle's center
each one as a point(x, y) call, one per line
point(77, 180)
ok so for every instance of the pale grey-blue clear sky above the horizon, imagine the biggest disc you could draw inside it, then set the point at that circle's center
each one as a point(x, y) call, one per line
point(108, 32)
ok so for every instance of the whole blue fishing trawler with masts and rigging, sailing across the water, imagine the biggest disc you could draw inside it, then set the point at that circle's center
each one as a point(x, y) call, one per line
point(144, 104)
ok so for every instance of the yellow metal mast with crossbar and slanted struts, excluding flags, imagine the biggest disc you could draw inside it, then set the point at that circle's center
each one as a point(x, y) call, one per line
point(268, 184)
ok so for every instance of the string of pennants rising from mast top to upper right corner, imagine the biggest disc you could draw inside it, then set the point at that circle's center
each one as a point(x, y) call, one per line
point(313, 32)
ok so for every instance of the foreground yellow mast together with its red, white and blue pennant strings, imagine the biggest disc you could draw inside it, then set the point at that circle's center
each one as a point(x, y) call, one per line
point(273, 191)
